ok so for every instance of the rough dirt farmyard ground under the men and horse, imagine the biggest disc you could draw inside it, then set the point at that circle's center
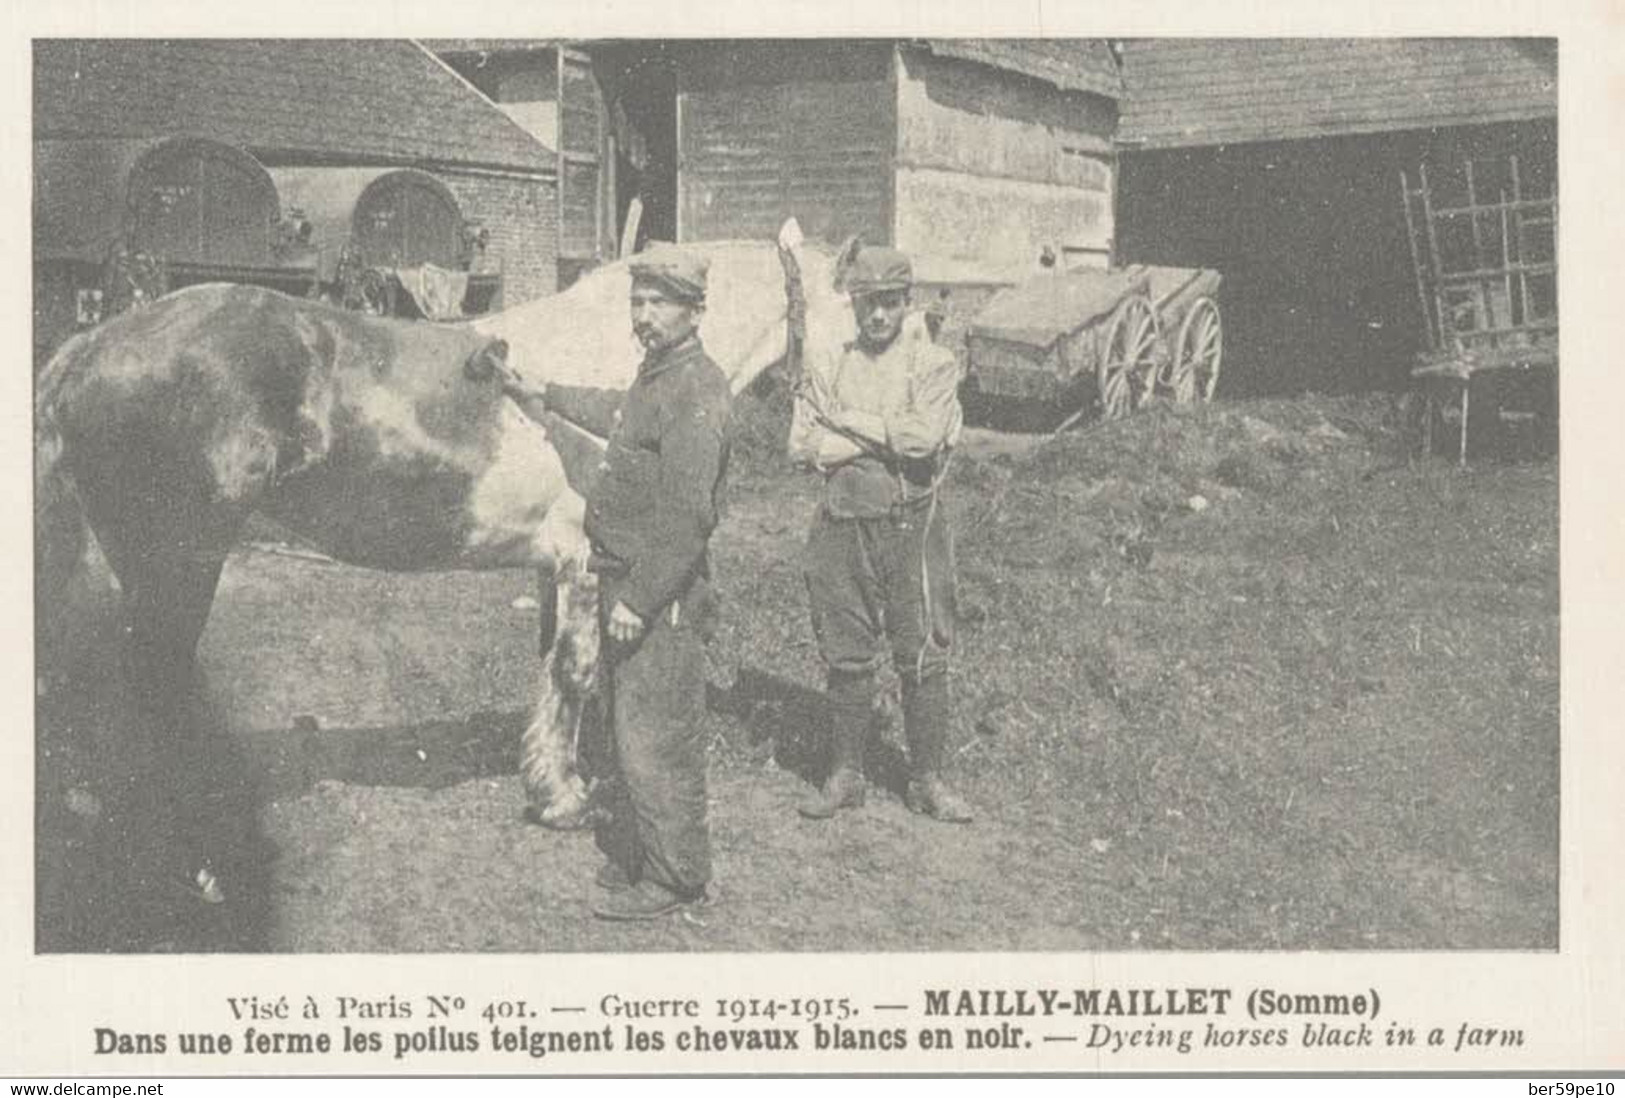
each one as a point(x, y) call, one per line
point(1242, 677)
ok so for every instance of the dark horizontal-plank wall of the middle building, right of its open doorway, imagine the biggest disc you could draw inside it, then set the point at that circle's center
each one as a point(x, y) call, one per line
point(779, 129)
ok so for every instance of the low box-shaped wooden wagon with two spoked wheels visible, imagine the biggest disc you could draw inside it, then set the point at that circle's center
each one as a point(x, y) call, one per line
point(1101, 337)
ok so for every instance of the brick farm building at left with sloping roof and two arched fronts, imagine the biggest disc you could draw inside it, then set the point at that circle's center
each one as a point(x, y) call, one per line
point(280, 163)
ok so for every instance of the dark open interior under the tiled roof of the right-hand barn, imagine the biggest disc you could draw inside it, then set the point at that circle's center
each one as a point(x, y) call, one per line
point(1319, 283)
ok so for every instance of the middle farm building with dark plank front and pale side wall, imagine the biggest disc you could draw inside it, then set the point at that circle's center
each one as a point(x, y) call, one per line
point(973, 155)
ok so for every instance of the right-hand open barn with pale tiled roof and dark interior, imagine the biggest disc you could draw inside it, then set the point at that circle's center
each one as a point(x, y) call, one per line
point(1278, 162)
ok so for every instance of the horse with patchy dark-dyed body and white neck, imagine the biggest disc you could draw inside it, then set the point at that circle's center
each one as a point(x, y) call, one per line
point(384, 444)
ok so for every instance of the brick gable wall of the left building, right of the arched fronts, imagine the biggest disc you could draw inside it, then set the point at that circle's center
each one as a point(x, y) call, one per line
point(522, 217)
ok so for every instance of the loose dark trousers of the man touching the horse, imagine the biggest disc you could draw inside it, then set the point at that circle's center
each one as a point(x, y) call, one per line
point(656, 693)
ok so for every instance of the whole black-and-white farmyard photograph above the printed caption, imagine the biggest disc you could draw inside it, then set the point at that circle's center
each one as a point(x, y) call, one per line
point(805, 495)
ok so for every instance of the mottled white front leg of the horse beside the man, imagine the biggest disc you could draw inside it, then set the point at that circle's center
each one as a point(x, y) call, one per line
point(568, 678)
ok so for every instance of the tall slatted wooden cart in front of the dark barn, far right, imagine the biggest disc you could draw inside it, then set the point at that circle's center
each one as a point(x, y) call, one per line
point(1484, 249)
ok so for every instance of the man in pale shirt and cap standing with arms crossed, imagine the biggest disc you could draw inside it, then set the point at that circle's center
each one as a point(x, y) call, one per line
point(878, 420)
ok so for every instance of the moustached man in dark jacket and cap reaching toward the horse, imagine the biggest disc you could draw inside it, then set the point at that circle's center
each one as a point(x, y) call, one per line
point(651, 511)
